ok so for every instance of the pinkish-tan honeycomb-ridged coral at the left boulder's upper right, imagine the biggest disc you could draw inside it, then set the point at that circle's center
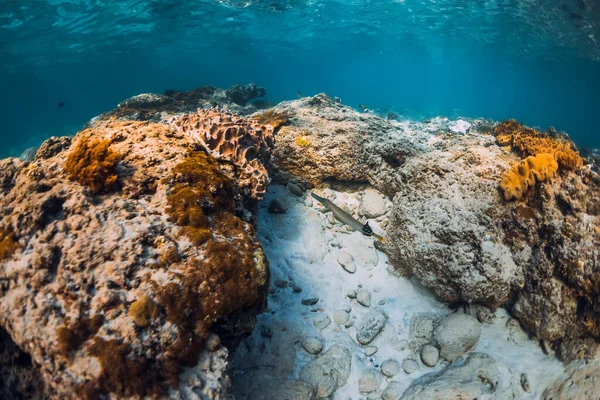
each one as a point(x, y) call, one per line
point(244, 143)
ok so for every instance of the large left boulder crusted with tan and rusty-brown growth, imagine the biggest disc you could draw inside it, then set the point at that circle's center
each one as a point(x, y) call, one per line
point(120, 254)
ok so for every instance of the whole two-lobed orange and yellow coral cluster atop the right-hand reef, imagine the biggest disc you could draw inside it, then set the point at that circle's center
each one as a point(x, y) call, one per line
point(544, 149)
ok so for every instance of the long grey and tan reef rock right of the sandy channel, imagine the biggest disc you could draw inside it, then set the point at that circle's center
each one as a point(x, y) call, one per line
point(450, 225)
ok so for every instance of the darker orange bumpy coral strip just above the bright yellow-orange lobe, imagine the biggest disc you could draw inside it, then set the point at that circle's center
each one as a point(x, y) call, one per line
point(531, 143)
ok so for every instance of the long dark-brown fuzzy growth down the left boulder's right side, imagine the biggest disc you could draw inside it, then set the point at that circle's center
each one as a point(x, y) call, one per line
point(226, 278)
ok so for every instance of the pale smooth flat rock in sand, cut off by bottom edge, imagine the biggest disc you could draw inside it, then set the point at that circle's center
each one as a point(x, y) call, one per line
point(480, 376)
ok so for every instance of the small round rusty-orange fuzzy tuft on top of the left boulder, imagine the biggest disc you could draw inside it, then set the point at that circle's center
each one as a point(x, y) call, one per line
point(93, 164)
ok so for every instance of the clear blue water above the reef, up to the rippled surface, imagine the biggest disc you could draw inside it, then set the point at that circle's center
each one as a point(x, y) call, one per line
point(537, 61)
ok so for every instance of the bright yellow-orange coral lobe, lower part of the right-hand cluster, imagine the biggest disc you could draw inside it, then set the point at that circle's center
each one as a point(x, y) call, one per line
point(524, 174)
